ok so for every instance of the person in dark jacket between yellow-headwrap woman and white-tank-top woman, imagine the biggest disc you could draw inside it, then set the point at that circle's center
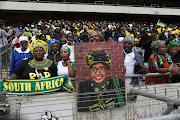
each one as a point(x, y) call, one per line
point(54, 54)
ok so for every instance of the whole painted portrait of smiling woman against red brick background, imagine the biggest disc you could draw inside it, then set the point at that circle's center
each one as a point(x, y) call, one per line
point(99, 79)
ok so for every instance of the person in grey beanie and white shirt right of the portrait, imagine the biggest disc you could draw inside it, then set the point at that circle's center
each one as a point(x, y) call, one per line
point(133, 62)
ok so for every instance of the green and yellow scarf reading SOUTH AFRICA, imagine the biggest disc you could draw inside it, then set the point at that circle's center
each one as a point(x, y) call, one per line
point(36, 86)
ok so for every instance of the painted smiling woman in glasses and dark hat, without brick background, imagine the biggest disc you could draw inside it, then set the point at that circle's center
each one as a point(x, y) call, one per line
point(101, 92)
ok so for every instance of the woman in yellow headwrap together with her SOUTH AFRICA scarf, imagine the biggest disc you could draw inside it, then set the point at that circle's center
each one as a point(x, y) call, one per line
point(36, 75)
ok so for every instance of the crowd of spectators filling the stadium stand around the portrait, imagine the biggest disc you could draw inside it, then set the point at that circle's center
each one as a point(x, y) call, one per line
point(155, 43)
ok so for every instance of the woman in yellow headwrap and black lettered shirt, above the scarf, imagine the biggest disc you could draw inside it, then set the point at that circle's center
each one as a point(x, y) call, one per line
point(37, 67)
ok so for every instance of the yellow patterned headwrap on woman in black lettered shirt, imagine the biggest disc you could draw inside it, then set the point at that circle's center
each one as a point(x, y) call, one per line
point(38, 43)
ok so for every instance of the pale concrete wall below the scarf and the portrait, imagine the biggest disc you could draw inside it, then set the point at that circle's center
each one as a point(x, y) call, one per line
point(63, 105)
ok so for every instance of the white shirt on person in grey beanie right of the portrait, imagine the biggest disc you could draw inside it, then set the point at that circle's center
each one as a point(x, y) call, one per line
point(129, 63)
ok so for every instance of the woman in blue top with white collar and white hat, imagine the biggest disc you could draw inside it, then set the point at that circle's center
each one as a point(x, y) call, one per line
point(20, 54)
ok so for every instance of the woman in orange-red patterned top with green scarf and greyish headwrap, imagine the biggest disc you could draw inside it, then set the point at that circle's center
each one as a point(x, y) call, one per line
point(161, 62)
